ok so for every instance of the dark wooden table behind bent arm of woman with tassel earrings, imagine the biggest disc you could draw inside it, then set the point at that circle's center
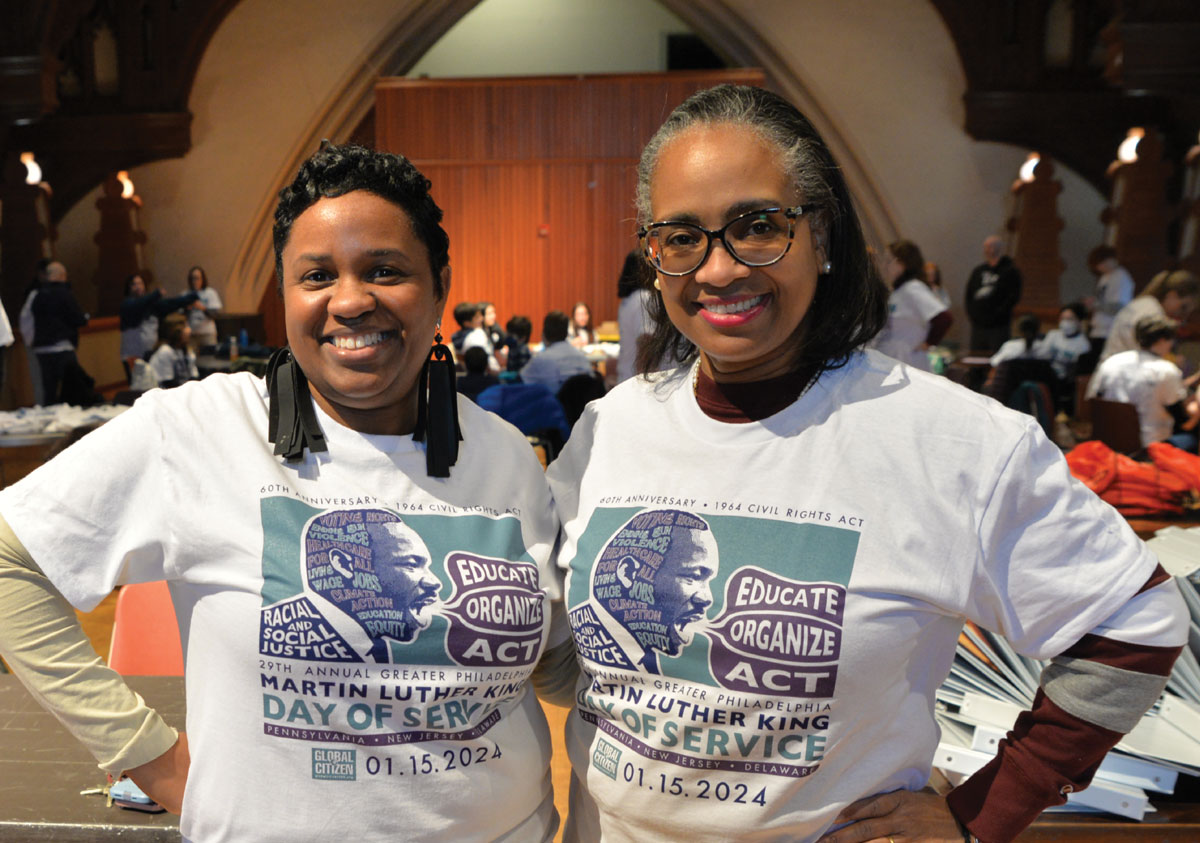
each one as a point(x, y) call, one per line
point(44, 769)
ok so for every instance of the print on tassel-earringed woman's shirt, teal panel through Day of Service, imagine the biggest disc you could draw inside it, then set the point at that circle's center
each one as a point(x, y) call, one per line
point(453, 601)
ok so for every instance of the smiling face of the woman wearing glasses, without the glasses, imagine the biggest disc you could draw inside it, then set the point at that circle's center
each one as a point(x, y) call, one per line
point(747, 321)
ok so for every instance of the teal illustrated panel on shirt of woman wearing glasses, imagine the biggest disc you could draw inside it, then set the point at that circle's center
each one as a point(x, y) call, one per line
point(743, 603)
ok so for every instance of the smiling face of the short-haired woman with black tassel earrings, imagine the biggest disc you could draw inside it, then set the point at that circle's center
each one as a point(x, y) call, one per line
point(361, 309)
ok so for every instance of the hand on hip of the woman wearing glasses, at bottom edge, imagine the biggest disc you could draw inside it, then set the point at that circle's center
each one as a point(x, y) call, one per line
point(899, 817)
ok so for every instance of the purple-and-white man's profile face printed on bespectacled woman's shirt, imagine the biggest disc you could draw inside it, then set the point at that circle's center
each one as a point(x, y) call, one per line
point(682, 584)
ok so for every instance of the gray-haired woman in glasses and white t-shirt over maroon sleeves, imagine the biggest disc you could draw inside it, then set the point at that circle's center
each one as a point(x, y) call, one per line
point(861, 510)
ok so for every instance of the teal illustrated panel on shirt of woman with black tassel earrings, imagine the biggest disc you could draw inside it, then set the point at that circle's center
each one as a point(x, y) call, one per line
point(370, 585)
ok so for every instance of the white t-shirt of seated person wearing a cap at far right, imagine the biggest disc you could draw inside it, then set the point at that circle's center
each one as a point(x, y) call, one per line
point(1147, 381)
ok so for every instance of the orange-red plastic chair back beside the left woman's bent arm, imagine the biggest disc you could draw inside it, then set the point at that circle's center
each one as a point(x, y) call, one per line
point(146, 633)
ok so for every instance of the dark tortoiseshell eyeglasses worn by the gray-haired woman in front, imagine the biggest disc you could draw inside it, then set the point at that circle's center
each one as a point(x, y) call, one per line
point(755, 240)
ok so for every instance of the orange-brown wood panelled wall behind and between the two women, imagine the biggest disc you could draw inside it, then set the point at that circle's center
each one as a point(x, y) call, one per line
point(537, 178)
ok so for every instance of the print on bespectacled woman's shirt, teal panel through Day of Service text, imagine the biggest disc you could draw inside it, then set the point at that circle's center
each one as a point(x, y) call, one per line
point(713, 641)
